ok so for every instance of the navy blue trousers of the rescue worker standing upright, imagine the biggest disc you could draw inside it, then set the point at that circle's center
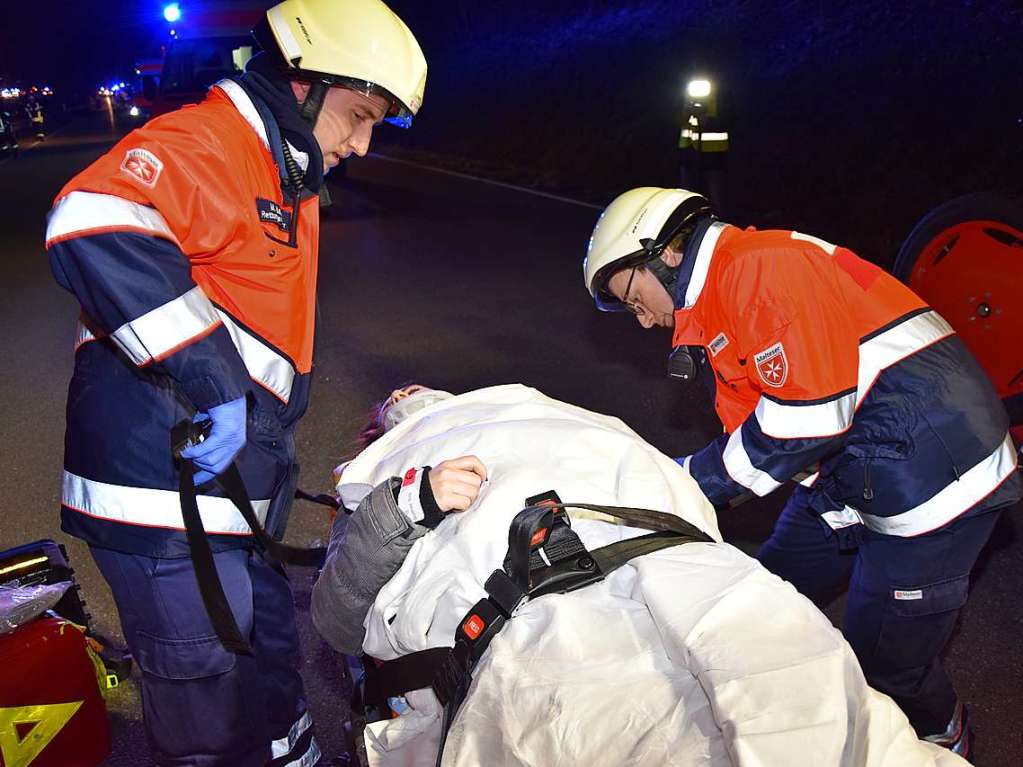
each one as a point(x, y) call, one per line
point(203, 706)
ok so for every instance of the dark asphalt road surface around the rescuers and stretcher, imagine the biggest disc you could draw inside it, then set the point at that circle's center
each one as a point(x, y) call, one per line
point(436, 279)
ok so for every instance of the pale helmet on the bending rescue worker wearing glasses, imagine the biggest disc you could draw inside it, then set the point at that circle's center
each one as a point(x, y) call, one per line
point(633, 231)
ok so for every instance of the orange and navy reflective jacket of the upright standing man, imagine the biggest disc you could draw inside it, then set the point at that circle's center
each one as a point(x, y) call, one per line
point(197, 280)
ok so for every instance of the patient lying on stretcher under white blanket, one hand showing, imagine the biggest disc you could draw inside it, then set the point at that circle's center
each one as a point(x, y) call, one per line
point(694, 655)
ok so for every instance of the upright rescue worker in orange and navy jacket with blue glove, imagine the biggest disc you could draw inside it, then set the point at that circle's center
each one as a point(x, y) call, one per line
point(193, 249)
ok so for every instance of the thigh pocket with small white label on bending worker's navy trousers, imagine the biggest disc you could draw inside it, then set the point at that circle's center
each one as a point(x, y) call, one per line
point(919, 620)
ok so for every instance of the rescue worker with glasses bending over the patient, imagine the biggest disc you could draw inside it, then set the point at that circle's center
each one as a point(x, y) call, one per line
point(825, 367)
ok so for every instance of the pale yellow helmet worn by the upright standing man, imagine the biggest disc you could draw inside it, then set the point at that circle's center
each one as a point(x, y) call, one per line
point(357, 44)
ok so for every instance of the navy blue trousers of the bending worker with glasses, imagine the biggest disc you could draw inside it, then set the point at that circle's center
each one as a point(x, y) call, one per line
point(905, 599)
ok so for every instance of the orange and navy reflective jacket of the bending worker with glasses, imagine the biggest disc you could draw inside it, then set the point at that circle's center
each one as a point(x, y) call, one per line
point(823, 360)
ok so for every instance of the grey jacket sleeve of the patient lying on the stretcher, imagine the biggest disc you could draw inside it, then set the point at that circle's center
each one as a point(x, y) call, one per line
point(366, 551)
